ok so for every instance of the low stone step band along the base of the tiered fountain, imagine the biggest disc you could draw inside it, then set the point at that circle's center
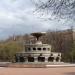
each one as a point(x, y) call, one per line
point(30, 65)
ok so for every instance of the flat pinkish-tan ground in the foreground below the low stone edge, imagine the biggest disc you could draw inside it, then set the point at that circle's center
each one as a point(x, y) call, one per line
point(37, 71)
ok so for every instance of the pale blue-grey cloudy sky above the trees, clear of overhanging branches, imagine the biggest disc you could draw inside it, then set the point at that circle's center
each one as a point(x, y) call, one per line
point(17, 17)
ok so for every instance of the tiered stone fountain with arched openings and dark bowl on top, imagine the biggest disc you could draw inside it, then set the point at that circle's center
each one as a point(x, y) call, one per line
point(37, 52)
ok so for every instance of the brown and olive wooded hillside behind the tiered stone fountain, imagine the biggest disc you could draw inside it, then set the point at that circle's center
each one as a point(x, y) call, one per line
point(61, 41)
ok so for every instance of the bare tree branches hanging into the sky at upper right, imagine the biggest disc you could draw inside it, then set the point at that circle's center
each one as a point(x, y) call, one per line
point(54, 9)
